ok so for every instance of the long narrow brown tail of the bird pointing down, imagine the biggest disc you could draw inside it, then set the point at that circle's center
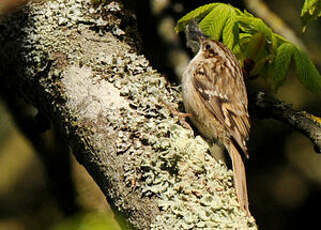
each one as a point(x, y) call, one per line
point(239, 176)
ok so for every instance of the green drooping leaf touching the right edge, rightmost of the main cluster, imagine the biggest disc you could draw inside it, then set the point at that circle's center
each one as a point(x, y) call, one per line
point(307, 73)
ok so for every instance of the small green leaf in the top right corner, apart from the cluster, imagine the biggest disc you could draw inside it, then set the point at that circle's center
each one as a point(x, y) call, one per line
point(311, 10)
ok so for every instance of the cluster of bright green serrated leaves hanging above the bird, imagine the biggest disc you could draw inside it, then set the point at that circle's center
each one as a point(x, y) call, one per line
point(251, 39)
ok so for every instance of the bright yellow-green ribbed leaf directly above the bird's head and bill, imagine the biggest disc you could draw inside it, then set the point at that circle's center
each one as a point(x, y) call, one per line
point(212, 25)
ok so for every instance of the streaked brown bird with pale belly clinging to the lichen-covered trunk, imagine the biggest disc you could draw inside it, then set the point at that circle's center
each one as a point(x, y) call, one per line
point(214, 94)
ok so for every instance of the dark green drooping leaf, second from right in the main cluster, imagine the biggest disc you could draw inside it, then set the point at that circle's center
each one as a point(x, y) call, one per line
point(279, 67)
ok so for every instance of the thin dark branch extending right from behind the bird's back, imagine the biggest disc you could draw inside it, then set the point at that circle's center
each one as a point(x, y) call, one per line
point(265, 106)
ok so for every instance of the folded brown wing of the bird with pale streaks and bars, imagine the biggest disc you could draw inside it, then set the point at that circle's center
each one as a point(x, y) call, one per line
point(224, 94)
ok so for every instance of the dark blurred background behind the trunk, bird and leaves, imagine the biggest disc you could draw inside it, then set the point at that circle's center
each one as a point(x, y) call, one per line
point(284, 173)
